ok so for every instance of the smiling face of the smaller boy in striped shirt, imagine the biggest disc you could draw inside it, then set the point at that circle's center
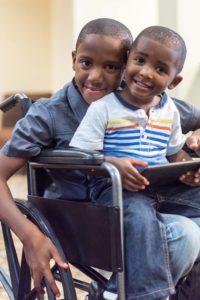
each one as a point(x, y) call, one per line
point(151, 68)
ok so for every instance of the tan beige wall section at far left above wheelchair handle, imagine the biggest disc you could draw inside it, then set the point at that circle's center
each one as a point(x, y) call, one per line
point(25, 49)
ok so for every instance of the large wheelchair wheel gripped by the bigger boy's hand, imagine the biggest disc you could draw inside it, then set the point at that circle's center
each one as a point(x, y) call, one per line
point(18, 285)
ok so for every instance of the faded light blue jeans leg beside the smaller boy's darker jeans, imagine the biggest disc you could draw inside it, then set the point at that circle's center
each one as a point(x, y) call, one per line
point(183, 238)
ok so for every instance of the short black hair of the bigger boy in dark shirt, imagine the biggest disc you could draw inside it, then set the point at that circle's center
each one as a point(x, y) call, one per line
point(107, 27)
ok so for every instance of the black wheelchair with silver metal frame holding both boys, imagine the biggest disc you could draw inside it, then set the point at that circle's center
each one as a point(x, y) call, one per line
point(87, 235)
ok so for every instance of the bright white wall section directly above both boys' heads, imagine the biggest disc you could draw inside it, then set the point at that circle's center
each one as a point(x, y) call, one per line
point(132, 13)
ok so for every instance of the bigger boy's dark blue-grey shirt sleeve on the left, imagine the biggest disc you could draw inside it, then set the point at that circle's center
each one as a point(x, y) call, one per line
point(31, 134)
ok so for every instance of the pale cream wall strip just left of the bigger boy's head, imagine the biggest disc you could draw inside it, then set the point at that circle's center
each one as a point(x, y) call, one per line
point(61, 42)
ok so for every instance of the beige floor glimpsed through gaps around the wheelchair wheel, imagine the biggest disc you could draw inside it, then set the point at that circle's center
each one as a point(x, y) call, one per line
point(19, 189)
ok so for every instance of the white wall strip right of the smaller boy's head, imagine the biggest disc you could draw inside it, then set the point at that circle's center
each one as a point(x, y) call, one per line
point(189, 24)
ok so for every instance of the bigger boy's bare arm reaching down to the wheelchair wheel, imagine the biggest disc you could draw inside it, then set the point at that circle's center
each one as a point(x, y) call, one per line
point(39, 250)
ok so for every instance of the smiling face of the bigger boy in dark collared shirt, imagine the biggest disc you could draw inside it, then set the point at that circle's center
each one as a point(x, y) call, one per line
point(98, 64)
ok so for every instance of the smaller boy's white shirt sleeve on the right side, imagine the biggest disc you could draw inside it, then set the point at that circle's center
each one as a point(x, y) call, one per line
point(177, 139)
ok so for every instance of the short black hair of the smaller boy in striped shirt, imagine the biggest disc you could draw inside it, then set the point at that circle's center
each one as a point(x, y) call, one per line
point(168, 37)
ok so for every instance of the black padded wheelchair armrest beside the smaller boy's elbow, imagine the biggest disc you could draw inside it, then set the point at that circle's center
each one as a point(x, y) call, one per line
point(69, 156)
